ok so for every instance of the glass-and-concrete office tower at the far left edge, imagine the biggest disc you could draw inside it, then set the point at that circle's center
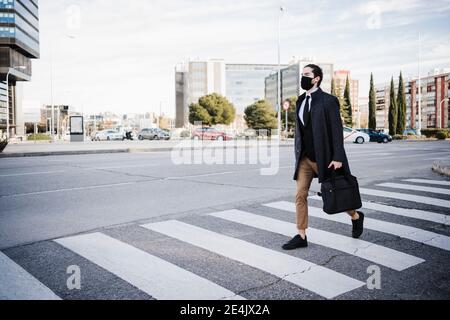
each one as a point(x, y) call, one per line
point(19, 43)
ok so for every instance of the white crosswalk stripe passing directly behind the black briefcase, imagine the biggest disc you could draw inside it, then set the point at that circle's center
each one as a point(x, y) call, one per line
point(410, 213)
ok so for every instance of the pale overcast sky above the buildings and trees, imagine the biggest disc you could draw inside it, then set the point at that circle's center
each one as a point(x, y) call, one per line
point(120, 55)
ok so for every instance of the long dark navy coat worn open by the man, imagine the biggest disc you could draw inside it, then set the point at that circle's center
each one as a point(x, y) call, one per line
point(328, 134)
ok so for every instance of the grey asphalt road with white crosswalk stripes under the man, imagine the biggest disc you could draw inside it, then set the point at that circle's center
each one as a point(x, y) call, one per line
point(109, 198)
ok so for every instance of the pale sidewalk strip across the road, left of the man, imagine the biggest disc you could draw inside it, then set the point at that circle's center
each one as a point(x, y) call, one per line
point(40, 149)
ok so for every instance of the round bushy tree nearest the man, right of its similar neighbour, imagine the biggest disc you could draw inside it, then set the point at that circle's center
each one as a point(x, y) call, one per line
point(261, 115)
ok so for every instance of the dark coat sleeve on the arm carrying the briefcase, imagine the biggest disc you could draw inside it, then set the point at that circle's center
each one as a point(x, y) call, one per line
point(337, 130)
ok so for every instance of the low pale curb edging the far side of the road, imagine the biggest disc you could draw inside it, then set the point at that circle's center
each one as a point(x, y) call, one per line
point(92, 152)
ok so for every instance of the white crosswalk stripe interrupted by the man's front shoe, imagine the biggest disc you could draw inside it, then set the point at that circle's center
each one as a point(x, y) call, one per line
point(372, 252)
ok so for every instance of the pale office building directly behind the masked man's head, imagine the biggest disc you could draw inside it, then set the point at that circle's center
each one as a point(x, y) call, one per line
point(291, 81)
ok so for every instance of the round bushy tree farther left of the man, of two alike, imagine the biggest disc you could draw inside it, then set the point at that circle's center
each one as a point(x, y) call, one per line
point(212, 109)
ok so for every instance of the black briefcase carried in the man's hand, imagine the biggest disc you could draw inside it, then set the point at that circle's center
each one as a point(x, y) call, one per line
point(340, 193)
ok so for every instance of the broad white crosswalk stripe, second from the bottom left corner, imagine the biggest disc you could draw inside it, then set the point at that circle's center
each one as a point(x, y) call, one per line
point(152, 275)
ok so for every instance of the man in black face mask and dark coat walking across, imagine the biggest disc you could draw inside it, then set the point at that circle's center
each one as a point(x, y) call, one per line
point(319, 148)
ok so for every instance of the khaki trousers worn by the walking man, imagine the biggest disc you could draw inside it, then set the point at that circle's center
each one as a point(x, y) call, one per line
point(305, 176)
